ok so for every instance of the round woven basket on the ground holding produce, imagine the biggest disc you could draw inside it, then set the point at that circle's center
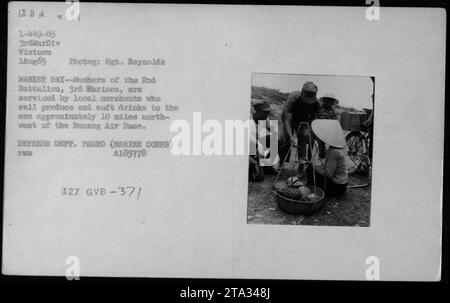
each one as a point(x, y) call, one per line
point(301, 206)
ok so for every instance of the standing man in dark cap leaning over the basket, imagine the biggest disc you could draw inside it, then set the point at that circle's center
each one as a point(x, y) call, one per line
point(300, 107)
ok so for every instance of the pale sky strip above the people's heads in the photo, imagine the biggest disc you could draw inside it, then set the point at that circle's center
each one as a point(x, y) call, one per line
point(351, 91)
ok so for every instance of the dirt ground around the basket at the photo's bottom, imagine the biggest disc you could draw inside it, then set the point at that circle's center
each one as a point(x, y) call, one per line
point(352, 209)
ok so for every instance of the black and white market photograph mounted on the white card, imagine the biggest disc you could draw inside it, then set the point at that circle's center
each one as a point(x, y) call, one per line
point(322, 175)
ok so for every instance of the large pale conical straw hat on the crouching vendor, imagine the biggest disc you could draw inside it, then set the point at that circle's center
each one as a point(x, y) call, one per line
point(329, 131)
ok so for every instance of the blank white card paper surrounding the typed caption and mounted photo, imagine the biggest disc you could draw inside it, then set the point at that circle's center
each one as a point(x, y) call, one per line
point(191, 219)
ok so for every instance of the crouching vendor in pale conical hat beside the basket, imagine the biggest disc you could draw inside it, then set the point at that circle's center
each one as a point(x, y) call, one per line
point(332, 175)
